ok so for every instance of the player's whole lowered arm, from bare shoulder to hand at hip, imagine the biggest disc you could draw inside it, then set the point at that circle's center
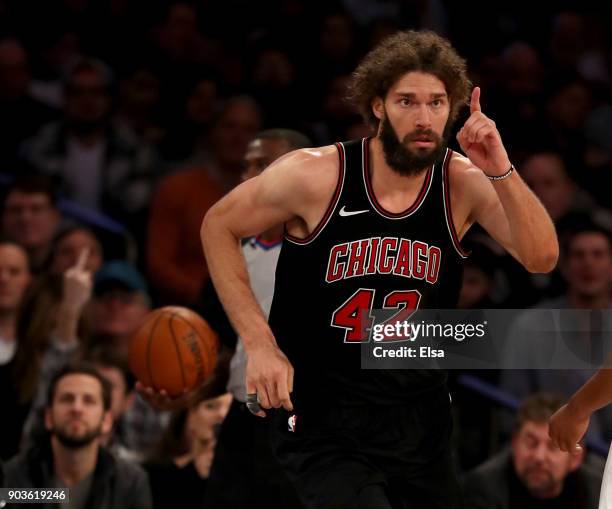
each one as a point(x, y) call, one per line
point(292, 191)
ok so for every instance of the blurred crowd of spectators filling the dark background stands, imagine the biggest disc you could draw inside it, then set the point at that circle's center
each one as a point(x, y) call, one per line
point(123, 121)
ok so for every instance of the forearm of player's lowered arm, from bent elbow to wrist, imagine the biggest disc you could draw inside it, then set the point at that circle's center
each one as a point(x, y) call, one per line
point(230, 276)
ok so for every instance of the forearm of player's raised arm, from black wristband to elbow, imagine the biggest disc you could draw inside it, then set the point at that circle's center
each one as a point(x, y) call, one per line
point(532, 231)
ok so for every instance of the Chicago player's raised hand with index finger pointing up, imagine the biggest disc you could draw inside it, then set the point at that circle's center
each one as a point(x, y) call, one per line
point(481, 142)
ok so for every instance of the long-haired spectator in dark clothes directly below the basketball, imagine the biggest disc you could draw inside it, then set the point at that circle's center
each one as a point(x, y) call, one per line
point(180, 468)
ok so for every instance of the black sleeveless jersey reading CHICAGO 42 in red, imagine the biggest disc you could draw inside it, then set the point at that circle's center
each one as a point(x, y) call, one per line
point(363, 257)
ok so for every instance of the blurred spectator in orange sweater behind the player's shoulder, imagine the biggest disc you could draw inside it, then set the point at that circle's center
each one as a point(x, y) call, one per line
point(176, 263)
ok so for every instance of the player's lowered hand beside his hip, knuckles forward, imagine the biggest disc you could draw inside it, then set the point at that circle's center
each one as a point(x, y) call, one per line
point(269, 374)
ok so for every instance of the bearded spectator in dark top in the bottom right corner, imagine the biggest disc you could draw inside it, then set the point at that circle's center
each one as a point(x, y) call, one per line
point(534, 473)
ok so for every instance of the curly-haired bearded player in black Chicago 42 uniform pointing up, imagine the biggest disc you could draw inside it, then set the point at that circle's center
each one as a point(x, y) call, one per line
point(369, 224)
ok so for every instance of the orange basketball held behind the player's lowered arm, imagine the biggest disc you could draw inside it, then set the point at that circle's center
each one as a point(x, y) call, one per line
point(174, 349)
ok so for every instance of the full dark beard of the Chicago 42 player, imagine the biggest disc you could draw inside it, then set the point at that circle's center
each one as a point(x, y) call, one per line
point(404, 160)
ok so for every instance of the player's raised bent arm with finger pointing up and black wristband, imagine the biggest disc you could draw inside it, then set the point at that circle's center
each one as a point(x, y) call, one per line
point(507, 209)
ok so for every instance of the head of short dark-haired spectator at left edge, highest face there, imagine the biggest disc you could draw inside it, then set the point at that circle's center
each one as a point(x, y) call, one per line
point(30, 217)
